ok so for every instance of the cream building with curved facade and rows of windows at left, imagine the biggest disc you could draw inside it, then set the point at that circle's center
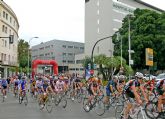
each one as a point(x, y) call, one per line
point(8, 47)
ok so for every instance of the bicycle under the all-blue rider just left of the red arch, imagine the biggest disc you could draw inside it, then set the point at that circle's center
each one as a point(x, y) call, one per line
point(23, 98)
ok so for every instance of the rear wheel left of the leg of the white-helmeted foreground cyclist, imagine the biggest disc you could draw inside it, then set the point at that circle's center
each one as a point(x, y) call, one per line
point(119, 111)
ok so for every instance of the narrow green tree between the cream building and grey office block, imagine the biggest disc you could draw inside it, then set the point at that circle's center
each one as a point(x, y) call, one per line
point(23, 47)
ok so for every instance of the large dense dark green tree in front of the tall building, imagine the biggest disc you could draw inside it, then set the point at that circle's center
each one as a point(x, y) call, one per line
point(147, 31)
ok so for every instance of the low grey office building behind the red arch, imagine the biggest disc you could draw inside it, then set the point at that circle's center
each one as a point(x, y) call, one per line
point(62, 51)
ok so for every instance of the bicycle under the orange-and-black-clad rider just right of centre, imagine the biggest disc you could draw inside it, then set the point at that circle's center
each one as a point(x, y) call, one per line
point(97, 104)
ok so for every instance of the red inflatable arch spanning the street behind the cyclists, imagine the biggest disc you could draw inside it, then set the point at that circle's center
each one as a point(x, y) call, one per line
point(37, 62)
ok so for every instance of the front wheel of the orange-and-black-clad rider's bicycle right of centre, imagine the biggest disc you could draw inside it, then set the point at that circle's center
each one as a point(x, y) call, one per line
point(99, 108)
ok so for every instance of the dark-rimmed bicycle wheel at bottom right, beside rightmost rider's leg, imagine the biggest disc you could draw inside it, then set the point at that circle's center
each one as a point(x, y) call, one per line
point(151, 110)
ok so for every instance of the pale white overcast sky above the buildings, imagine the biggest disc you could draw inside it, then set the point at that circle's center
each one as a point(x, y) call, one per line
point(54, 19)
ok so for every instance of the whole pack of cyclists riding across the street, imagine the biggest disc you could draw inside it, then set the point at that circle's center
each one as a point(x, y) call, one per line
point(135, 90)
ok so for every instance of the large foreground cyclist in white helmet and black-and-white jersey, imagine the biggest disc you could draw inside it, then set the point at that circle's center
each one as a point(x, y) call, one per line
point(132, 89)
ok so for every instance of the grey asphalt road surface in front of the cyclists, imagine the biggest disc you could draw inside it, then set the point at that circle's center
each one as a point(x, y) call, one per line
point(11, 109)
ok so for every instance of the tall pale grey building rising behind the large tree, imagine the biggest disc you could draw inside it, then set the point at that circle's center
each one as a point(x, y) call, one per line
point(103, 18)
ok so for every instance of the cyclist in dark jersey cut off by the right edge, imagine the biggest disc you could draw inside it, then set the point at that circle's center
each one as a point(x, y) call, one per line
point(160, 87)
